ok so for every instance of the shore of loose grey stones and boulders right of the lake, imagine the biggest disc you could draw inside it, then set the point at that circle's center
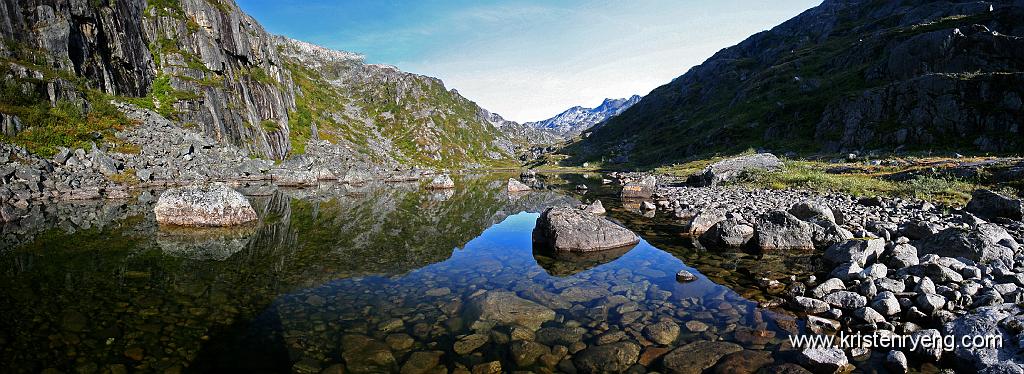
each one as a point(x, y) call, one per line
point(889, 267)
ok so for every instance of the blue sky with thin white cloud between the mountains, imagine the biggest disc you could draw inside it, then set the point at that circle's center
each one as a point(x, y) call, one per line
point(531, 60)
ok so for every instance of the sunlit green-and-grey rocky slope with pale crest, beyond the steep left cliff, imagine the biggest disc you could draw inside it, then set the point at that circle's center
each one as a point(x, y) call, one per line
point(394, 116)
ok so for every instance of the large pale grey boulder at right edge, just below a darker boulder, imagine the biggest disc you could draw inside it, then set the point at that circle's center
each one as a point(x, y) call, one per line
point(984, 243)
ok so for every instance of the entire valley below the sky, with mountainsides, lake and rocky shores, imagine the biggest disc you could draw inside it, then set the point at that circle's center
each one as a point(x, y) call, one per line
point(858, 169)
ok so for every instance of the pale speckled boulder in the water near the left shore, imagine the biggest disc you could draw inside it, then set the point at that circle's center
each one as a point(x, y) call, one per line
point(209, 205)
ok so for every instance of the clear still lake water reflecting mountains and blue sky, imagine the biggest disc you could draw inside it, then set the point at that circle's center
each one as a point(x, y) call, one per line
point(99, 287)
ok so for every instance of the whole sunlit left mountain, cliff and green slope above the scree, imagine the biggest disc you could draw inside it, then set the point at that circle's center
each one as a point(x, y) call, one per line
point(214, 69)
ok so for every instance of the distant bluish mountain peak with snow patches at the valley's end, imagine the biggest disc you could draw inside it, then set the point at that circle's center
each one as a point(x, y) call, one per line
point(576, 120)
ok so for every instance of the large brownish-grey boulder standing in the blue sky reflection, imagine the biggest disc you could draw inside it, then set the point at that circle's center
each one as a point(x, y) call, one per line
point(564, 229)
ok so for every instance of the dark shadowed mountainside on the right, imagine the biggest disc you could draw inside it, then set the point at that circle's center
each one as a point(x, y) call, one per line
point(908, 75)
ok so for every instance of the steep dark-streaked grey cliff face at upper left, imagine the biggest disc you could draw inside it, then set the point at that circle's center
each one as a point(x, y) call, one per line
point(201, 62)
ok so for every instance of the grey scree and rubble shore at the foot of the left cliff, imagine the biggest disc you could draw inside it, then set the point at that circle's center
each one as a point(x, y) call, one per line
point(158, 153)
